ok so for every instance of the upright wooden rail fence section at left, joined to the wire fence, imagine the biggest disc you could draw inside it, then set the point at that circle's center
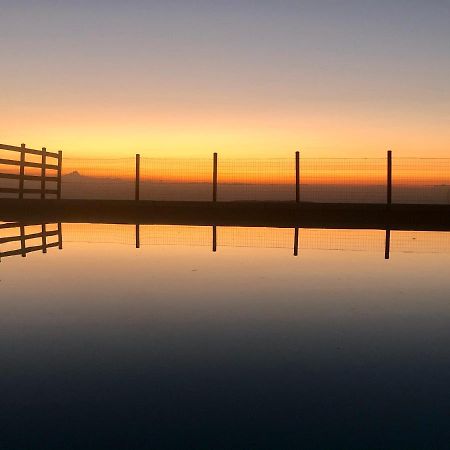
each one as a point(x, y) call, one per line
point(25, 164)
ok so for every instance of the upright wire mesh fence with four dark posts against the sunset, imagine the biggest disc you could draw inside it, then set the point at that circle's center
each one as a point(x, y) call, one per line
point(328, 180)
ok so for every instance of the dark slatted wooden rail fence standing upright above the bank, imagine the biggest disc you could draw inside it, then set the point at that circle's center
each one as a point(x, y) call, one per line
point(22, 176)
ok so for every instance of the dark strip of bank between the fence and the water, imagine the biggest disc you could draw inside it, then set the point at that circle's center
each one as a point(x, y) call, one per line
point(257, 214)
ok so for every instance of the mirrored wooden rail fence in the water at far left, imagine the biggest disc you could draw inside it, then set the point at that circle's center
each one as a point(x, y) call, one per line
point(29, 238)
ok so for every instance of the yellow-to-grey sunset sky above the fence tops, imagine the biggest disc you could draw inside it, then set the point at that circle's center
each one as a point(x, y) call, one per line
point(244, 78)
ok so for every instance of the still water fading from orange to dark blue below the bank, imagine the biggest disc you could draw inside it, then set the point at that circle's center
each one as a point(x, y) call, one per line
point(171, 345)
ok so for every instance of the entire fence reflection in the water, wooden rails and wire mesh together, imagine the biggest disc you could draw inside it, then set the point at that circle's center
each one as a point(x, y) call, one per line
point(18, 239)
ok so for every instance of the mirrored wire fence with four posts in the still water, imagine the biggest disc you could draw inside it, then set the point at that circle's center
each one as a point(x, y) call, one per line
point(296, 239)
